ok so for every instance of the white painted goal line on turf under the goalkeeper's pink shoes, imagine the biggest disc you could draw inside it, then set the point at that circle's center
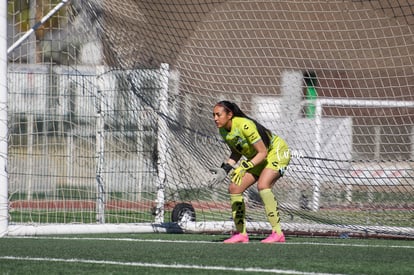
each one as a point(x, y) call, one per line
point(209, 242)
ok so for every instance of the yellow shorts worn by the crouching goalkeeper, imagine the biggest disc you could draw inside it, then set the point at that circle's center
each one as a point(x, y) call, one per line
point(278, 158)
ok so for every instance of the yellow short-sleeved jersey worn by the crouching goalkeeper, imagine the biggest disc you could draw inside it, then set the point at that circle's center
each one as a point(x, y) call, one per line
point(242, 136)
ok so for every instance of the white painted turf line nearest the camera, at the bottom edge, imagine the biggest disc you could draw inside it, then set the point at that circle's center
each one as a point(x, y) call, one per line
point(172, 266)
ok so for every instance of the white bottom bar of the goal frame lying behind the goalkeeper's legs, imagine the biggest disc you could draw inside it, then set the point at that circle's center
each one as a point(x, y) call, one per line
point(218, 227)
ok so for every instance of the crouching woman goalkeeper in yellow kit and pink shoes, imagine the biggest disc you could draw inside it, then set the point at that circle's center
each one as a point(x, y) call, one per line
point(266, 158)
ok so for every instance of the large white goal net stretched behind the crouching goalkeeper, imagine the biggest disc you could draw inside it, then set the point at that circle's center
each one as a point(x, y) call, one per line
point(109, 114)
